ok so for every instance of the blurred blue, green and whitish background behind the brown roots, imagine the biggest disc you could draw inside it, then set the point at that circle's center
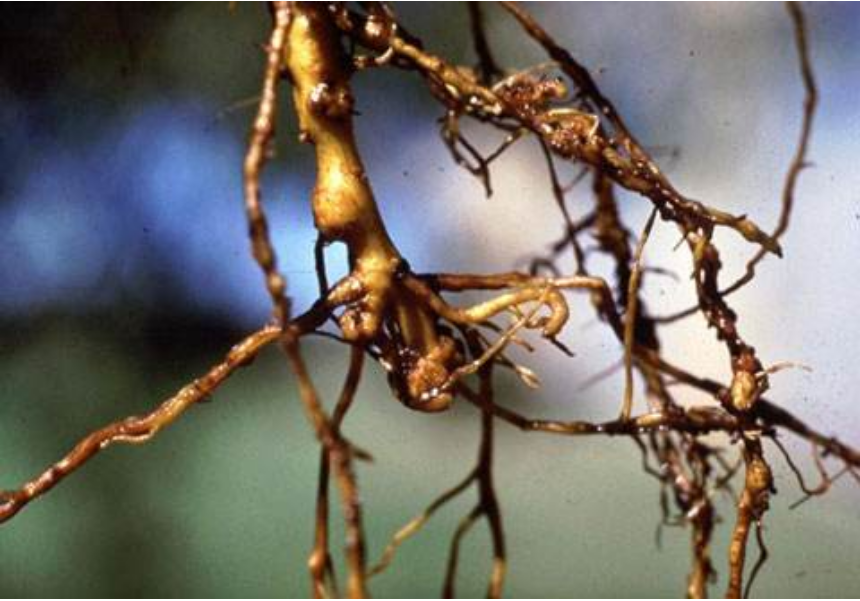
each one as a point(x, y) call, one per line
point(125, 271)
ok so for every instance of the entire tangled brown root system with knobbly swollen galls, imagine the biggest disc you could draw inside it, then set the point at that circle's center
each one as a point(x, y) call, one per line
point(435, 351)
